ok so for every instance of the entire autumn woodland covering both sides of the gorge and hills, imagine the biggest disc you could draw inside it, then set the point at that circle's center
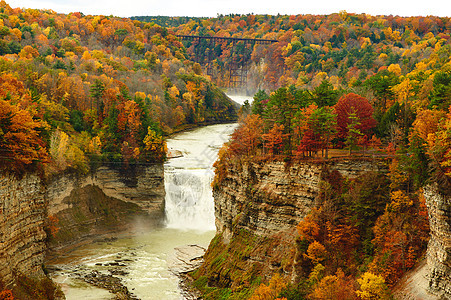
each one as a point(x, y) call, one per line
point(77, 91)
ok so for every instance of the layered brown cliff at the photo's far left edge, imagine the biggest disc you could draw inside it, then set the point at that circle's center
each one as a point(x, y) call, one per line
point(22, 220)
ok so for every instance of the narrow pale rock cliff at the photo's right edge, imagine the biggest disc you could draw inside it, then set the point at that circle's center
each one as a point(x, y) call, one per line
point(439, 247)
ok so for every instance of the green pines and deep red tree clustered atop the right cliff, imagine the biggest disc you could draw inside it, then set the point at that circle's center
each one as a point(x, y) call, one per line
point(290, 123)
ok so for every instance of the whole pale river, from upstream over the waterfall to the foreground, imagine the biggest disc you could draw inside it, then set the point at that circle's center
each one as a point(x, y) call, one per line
point(140, 258)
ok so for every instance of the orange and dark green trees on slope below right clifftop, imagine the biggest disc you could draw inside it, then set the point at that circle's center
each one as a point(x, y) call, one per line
point(357, 227)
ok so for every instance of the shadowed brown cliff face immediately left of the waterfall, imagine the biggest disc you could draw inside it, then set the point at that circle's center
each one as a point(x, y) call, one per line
point(107, 200)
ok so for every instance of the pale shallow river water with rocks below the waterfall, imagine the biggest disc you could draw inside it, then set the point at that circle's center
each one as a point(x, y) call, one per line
point(140, 262)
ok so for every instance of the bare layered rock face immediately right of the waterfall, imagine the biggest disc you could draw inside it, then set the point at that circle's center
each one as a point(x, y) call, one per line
point(268, 198)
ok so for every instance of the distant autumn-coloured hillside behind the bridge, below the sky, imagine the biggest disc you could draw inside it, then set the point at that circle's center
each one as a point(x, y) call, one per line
point(344, 48)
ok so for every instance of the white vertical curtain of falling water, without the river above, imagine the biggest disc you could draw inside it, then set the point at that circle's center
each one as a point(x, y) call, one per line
point(189, 199)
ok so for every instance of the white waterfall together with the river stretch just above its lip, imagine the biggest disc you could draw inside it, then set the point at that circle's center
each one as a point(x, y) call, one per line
point(189, 203)
